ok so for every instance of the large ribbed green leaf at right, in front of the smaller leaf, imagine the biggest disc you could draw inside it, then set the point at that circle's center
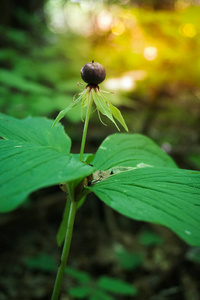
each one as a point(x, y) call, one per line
point(166, 196)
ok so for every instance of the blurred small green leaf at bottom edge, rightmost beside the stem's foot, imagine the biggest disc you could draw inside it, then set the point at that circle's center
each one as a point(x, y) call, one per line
point(116, 286)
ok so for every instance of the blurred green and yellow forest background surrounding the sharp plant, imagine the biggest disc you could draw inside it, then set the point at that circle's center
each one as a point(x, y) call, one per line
point(151, 52)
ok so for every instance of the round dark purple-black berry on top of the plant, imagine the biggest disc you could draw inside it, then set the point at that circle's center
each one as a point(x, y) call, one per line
point(93, 73)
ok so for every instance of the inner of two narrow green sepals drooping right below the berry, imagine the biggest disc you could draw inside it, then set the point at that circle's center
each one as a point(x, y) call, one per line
point(103, 107)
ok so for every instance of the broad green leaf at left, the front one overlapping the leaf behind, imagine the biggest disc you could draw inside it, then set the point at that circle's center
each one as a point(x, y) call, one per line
point(26, 167)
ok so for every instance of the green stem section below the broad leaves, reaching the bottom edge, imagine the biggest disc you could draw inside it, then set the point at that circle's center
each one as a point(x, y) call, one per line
point(66, 247)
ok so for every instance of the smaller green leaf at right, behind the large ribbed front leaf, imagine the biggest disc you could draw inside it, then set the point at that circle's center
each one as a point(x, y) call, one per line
point(130, 150)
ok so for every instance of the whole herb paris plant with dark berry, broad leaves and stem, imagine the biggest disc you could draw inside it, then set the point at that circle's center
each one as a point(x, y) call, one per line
point(129, 172)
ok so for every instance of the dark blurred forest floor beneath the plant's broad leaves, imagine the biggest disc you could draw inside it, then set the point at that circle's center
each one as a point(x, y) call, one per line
point(104, 244)
